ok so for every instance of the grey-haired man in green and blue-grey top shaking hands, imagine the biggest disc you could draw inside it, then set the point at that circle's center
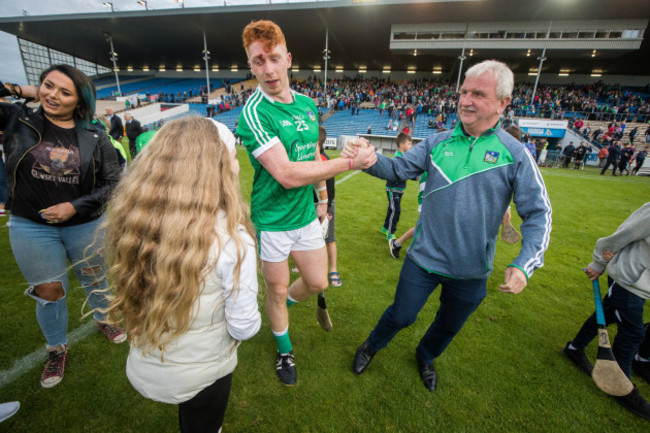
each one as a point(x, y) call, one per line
point(474, 171)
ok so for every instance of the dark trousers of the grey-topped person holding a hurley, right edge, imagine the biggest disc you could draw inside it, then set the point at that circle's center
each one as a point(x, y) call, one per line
point(626, 310)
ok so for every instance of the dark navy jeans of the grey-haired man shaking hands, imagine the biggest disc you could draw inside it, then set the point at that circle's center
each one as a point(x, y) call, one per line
point(458, 300)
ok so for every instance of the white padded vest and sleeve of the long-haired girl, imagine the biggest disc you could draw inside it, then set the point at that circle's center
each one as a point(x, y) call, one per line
point(208, 351)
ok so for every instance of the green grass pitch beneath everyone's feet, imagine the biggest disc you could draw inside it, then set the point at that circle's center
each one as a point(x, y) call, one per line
point(504, 372)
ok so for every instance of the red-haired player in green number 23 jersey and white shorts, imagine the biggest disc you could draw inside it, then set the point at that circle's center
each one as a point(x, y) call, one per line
point(279, 128)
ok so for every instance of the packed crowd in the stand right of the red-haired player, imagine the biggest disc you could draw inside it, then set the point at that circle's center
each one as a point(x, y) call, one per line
point(403, 101)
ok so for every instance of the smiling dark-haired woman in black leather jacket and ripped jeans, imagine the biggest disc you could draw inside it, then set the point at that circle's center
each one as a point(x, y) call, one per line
point(60, 171)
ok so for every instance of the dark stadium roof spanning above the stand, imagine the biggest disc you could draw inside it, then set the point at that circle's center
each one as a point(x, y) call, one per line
point(359, 34)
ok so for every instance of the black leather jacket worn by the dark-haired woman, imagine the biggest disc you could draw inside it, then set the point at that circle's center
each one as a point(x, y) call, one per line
point(23, 130)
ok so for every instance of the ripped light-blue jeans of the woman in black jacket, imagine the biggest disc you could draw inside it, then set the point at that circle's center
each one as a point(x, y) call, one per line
point(42, 253)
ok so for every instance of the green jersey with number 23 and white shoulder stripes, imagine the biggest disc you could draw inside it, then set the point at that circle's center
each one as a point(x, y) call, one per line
point(263, 123)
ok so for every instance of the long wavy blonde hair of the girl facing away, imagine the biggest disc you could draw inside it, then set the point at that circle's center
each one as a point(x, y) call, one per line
point(160, 227)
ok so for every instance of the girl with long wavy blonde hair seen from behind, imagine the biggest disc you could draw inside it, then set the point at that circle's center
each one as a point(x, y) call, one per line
point(183, 269)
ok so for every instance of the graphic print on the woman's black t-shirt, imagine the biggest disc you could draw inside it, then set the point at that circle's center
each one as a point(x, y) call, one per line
point(56, 163)
